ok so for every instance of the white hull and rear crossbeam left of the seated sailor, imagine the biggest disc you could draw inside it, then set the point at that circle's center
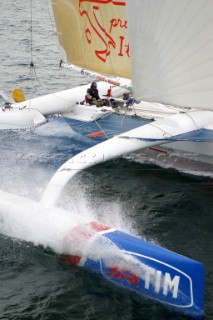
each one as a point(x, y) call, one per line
point(29, 113)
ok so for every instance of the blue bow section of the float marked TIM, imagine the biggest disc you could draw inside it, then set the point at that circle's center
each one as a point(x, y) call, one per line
point(154, 272)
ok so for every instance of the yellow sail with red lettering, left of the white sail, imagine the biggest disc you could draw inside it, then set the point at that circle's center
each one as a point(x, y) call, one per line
point(93, 35)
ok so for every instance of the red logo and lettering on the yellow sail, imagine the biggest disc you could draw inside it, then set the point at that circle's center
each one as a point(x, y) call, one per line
point(111, 33)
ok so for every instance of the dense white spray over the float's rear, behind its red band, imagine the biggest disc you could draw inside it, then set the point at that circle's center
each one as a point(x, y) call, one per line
point(28, 220)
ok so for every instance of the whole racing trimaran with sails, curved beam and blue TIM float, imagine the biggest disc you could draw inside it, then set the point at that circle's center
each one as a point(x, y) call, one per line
point(167, 54)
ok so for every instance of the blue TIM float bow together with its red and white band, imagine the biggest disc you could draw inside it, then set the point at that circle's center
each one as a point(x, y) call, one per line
point(137, 265)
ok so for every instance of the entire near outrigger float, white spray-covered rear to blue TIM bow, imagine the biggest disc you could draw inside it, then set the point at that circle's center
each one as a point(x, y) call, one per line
point(127, 261)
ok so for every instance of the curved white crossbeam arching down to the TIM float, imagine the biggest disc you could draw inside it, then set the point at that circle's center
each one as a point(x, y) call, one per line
point(148, 136)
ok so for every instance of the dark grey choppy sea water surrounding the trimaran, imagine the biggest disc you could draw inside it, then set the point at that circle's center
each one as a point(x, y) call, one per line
point(164, 206)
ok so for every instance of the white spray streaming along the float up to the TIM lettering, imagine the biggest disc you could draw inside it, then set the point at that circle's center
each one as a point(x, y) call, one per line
point(64, 232)
